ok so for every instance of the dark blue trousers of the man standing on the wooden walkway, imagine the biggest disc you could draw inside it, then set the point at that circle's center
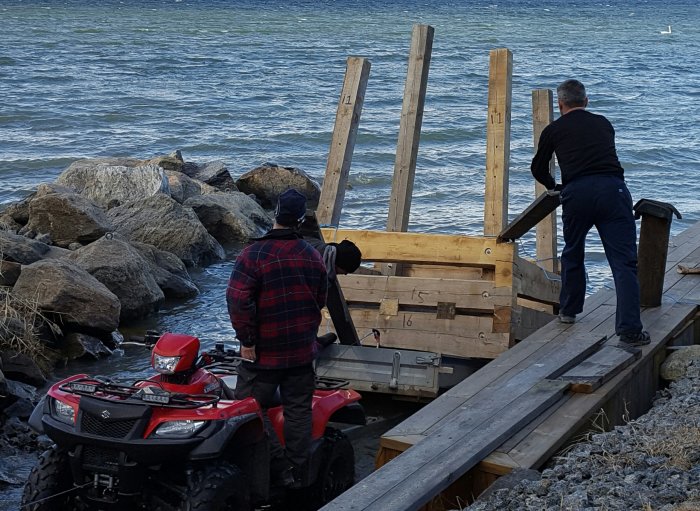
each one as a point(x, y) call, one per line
point(605, 202)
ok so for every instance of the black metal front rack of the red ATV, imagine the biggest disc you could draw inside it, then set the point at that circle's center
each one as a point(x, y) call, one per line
point(151, 394)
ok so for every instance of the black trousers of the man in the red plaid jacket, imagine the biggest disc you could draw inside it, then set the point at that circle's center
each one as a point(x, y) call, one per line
point(296, 388)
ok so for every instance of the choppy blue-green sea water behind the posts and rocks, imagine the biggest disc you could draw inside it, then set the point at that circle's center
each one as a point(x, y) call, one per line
point(248, 82)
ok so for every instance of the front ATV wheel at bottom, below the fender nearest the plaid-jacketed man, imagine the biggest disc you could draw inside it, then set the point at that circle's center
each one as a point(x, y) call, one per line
point(219, 486)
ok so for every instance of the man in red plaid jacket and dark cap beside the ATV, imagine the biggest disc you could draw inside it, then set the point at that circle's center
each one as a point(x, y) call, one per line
point(277, 289)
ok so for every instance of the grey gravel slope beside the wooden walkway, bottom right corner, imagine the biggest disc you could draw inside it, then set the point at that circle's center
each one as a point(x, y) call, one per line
point(651, 463)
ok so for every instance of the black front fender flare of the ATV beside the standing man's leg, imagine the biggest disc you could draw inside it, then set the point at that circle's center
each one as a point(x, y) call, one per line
point(242, 430)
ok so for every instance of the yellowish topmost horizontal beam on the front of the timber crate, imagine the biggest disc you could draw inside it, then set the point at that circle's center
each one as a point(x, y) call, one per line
point(408, 247)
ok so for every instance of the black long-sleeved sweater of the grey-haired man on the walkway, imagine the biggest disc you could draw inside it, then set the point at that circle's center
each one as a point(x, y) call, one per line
point(584, 144)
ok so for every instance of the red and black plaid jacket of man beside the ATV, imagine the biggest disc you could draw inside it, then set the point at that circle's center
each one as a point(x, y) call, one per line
point(275, 295)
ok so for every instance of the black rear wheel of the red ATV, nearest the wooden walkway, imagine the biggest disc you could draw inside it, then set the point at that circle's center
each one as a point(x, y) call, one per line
point(337, 472)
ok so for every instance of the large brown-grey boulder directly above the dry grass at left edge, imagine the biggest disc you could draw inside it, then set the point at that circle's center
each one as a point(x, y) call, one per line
point(72, 295)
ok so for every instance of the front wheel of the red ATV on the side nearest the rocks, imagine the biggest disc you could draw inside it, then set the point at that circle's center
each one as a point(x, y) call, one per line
point(48, 480)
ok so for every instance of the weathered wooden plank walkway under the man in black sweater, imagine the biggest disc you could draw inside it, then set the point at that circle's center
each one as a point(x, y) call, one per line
point(521, 408)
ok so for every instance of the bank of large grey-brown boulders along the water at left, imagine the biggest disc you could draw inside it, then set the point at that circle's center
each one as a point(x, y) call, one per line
point(107, 243)
